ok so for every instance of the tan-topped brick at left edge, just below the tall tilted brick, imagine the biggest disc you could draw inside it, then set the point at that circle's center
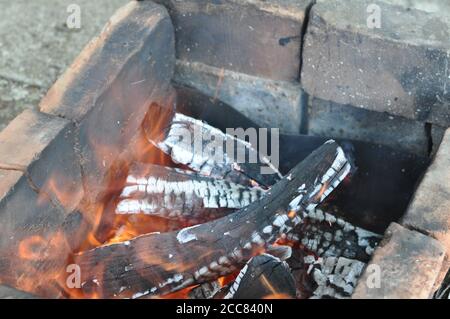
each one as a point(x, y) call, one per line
point(42, 147)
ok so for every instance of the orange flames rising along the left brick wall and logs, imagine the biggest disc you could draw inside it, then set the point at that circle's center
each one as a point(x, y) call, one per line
point(42, 259)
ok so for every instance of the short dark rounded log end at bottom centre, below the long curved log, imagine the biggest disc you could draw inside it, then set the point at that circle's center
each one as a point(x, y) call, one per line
point(264, 276)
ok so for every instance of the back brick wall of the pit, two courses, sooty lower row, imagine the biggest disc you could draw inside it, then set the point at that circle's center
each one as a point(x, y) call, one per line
point(321, 65)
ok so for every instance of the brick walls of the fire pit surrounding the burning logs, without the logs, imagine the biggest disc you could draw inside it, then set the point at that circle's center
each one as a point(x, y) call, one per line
point(306, 67)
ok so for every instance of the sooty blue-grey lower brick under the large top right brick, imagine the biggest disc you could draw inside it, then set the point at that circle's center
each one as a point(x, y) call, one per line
point(329, 119)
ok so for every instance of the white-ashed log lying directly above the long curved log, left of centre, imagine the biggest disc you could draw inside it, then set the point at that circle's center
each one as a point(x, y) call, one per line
point(180, 194)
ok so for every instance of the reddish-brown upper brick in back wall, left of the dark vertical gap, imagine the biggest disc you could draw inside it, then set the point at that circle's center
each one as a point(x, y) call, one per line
point(256, 37)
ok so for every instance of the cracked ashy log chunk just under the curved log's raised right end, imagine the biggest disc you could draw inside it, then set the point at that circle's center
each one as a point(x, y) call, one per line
point(325, 235)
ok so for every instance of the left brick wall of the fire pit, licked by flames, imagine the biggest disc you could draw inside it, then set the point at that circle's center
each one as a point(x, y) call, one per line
point(54, 163)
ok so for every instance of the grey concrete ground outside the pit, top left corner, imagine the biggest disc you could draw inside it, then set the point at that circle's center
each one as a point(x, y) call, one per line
point(36, 46)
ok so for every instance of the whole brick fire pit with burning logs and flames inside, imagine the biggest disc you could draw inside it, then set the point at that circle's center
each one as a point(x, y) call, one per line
point(153, 168)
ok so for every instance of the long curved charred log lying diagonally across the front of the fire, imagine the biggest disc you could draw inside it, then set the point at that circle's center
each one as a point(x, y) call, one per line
point(162, 263)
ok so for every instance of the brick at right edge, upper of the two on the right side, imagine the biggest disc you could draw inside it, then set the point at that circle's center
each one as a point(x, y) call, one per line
point(429, 210)
